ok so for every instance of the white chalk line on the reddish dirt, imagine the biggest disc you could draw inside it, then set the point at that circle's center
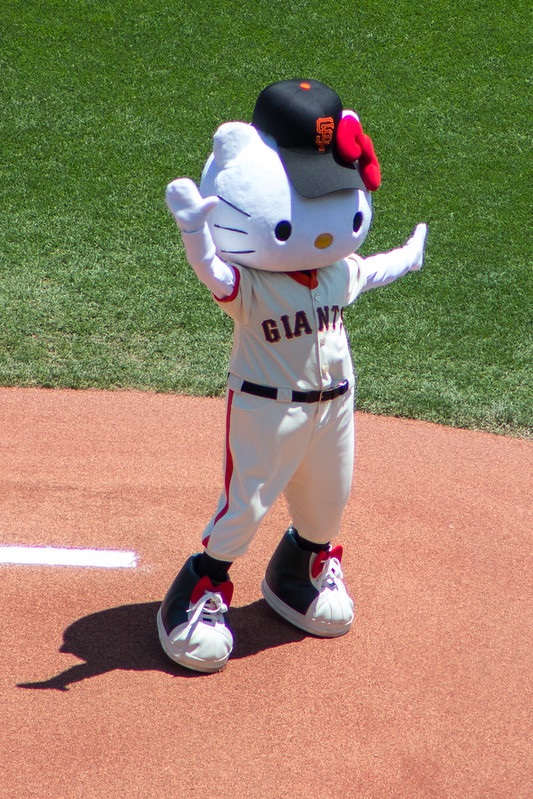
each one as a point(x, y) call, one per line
point(64, 556)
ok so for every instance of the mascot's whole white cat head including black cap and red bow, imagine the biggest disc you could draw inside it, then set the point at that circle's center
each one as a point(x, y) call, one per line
point(294, 186)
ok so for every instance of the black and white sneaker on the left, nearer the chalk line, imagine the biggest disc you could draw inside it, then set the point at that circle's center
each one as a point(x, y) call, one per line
point(190, 621)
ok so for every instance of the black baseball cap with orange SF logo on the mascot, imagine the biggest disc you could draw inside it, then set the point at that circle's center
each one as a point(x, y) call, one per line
point(302, 116)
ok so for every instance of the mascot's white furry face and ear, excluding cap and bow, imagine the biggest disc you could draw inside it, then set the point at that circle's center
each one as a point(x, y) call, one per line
point(262, 222)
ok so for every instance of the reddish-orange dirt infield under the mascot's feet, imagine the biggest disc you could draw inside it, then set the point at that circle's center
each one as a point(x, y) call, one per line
point(429, 696)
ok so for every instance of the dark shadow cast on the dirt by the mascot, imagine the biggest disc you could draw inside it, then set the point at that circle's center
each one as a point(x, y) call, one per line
point(126, 638)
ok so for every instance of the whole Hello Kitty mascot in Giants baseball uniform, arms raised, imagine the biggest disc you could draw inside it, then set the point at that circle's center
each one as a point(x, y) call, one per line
point(283, 205)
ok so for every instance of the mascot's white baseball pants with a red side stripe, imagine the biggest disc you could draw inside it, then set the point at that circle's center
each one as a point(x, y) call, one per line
point(305, 451)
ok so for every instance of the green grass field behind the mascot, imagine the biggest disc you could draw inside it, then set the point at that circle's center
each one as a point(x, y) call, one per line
point(102, 103)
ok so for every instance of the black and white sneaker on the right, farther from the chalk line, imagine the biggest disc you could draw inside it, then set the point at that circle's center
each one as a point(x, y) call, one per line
point(306, 588)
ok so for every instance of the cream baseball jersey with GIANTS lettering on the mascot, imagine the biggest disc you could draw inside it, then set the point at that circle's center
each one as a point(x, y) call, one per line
point(289, 327)
